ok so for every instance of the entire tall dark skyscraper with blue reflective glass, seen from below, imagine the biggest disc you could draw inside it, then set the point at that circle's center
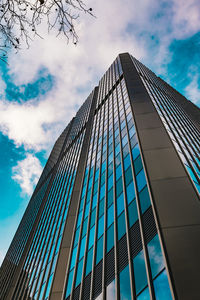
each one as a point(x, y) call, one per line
point(116, 211)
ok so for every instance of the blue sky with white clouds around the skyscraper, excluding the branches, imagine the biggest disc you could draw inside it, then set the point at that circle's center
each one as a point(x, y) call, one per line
point(42, 87)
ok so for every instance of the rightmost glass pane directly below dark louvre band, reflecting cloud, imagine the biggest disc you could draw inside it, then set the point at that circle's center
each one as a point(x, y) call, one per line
point(155, 256)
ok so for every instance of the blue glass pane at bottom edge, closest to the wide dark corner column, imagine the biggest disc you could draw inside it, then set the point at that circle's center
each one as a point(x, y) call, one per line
point(161, 287)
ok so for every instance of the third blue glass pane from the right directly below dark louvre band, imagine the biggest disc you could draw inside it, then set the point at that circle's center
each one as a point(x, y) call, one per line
point(124, 281)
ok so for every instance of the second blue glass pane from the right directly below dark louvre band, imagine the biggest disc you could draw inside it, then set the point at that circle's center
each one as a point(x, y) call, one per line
point(140, 272)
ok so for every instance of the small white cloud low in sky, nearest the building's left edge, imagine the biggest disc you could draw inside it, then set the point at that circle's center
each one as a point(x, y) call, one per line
point(27, 173)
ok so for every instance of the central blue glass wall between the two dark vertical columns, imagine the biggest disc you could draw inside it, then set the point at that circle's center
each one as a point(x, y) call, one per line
point(116, 250)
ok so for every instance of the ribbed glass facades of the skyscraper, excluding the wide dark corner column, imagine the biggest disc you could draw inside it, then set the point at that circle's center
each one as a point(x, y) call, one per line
point(115, 249)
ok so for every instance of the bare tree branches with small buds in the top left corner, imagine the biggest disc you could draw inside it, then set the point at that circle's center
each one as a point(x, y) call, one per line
point(20, 20)
